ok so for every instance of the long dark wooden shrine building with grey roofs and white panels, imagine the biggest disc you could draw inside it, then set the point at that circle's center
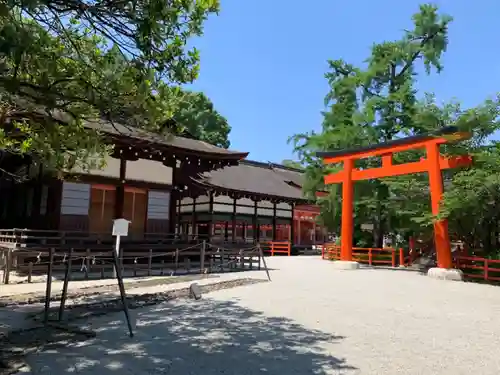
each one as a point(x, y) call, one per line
point(164, 186)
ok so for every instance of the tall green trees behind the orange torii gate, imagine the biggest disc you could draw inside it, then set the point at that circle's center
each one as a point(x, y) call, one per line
point(378, 103)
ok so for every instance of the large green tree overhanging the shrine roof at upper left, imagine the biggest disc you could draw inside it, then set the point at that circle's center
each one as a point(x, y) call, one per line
point(65, 62)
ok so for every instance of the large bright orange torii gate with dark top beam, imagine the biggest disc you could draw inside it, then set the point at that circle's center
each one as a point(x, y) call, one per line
point(433, 164)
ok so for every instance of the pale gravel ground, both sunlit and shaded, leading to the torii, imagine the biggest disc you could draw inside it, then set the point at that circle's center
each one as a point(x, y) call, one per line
point(310, 320)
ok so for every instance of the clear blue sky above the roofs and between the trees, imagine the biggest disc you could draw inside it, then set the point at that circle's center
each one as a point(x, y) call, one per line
point(263, 61)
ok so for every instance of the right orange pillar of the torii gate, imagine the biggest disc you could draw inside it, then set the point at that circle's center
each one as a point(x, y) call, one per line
point(441, 238)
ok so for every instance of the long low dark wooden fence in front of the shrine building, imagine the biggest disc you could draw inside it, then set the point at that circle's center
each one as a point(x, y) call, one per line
point(97, 261)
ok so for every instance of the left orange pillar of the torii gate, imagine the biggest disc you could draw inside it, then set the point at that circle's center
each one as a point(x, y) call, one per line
point(347, 214)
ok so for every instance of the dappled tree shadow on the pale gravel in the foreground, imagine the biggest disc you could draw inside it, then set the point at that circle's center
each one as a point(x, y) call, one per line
point(205, 337)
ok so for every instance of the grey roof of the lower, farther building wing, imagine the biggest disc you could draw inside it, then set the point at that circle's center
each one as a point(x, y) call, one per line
point(257, 178)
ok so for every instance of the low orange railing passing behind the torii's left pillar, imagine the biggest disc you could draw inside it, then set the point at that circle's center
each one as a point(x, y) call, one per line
point(371, 256)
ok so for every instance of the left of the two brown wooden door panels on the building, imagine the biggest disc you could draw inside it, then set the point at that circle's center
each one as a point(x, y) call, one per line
point(102, 207)
